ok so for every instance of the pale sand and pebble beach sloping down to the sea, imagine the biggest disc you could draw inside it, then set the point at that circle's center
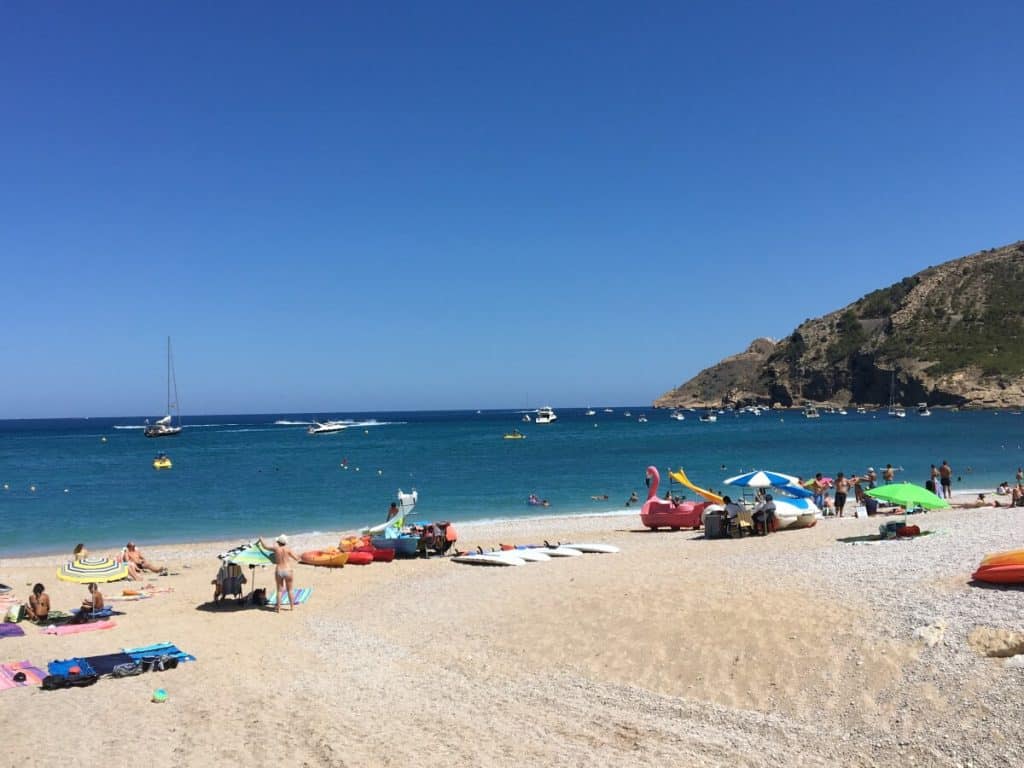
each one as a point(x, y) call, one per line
point(797, 649)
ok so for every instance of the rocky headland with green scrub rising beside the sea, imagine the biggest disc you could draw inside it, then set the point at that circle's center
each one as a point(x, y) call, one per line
point(953, 335)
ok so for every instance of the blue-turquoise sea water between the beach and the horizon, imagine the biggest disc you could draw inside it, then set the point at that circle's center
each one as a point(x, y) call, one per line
point(242, 476)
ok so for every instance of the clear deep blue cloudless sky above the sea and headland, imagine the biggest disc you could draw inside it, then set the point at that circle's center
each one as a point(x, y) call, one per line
point(446, 205)
